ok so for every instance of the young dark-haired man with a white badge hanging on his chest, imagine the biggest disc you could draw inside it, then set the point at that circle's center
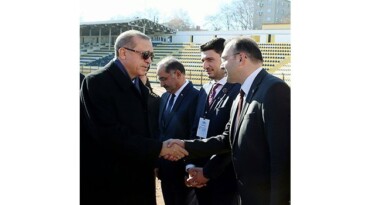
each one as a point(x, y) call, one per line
point(214, 105)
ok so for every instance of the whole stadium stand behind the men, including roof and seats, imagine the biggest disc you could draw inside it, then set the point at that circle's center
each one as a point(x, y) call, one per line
point(97, 39)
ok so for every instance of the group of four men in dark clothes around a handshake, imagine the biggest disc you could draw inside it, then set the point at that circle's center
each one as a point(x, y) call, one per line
point(225, 144)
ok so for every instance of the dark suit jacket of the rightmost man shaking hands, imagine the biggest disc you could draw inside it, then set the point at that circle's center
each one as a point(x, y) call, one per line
point(261, 148)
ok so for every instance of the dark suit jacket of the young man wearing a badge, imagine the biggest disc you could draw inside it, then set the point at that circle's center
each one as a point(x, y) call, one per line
point(222, 180)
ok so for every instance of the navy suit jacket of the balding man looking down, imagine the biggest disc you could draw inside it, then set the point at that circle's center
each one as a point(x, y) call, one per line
point(177, 125)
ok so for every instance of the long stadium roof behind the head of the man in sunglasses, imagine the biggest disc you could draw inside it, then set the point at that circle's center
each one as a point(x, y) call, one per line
point(115, 27)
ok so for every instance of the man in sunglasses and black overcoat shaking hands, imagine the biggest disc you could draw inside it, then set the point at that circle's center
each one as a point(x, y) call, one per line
point(117, 150)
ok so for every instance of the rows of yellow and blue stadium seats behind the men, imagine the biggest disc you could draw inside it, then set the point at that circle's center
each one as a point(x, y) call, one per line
point(277, 59)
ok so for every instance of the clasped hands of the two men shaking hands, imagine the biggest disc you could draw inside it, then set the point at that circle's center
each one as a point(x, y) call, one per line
point(173, 150)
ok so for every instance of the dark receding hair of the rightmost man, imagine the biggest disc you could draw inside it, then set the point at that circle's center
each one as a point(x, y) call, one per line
point(248, 46)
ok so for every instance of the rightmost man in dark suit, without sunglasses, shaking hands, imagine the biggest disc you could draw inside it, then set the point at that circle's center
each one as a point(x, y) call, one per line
point(258, 134)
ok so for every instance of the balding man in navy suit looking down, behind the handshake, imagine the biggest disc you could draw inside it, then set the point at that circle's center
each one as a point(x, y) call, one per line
point(177, 110)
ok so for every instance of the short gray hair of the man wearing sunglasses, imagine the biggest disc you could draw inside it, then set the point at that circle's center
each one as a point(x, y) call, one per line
point(126, 39)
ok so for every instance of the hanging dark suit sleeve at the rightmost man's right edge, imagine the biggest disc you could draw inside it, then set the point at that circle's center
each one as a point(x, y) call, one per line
point(276, 113)
